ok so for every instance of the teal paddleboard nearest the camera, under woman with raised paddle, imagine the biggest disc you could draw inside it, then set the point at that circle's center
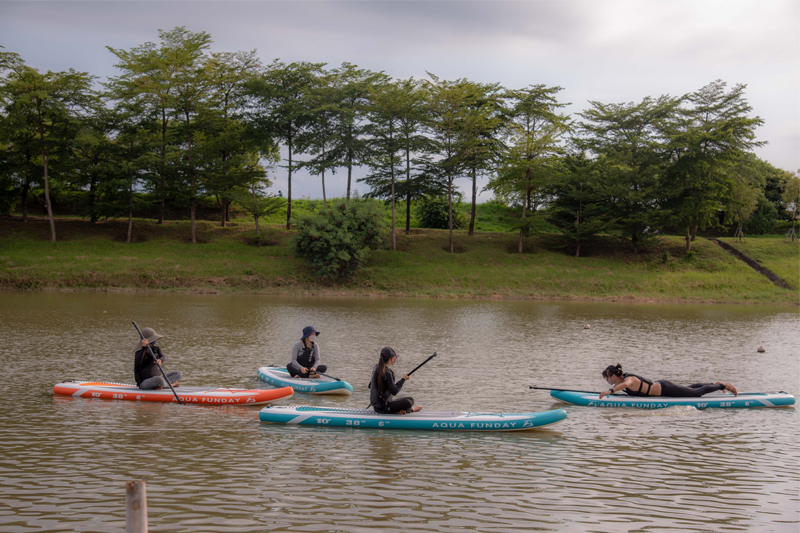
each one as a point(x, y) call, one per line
point(427, 420)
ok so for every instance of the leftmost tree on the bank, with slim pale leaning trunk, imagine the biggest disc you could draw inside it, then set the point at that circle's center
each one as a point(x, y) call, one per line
point(50, 106)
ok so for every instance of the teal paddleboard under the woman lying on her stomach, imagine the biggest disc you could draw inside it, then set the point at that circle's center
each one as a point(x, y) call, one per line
point(717, 399)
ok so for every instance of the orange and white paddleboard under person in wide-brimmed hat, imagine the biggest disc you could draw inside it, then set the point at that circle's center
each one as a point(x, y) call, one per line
point(192, 395)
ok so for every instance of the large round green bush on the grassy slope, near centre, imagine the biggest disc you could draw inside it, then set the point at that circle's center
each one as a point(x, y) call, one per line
point(337, 240)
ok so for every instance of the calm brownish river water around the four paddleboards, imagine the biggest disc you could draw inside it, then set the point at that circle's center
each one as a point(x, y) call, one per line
point(63, 461)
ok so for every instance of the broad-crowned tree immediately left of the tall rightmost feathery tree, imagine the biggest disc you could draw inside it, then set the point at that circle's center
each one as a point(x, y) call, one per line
point(630, 137)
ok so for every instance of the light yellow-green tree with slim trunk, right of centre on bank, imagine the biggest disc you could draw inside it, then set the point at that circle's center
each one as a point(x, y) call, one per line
point(534, 134)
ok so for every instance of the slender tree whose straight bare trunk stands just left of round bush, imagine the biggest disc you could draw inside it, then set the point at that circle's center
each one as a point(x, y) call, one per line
point(279, 108)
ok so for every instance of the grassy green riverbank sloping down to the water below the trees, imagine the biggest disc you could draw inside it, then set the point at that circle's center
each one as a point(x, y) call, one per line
point(96, 257)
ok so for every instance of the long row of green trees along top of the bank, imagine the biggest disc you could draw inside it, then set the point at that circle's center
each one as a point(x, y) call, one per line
point(185, 124)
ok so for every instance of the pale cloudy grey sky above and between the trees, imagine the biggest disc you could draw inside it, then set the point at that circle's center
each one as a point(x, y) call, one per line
point(604, 50)
